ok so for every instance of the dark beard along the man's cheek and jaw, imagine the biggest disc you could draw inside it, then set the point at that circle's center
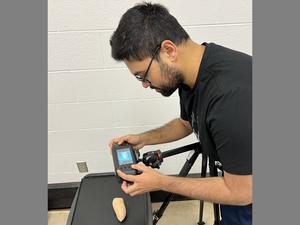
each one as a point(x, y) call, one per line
point(174, 79)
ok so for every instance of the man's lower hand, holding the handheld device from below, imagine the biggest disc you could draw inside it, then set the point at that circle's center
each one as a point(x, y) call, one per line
point(149, 180)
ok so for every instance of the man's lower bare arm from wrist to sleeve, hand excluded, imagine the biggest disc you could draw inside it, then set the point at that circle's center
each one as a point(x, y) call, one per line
point(230, 189)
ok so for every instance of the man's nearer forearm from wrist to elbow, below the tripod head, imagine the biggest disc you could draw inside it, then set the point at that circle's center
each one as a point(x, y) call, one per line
point(211, 189)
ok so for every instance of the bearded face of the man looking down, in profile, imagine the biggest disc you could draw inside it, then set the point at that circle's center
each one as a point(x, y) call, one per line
point(162, 77)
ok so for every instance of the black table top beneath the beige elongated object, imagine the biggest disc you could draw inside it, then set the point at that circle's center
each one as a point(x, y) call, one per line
point(93, 205)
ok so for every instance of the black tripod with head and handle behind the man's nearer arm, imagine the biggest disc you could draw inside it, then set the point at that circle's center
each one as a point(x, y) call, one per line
point(155, 158)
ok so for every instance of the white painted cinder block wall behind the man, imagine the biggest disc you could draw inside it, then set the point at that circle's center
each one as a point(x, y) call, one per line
point(92, 98)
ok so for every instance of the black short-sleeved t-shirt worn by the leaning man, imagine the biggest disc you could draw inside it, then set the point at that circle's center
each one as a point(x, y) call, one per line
point(219, 107)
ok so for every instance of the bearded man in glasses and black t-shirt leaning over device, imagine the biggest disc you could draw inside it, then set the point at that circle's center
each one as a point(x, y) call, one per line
point(214, 85)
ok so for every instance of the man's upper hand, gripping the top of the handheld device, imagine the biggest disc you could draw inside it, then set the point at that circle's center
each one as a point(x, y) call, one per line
point(134, 139)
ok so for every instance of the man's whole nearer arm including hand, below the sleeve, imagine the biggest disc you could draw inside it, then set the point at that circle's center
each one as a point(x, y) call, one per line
point(230, 189)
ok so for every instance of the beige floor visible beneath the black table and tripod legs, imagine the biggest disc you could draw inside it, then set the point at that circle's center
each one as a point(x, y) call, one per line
point(177, 213)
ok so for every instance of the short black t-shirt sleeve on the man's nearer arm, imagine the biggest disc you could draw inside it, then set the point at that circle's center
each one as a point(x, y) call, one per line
point(229, 120)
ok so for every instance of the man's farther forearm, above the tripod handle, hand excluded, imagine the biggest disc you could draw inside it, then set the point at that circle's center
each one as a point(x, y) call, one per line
point(172, 131)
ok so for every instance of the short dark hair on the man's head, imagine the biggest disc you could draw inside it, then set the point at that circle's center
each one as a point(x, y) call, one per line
point(141, 29)
